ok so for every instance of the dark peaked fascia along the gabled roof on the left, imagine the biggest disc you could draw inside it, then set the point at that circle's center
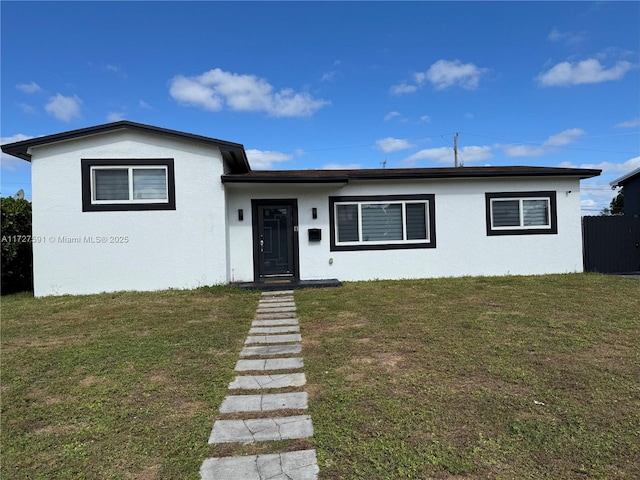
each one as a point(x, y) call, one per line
point(20, 149)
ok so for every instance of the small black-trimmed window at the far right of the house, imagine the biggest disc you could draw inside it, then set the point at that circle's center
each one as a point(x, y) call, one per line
point(521, 213)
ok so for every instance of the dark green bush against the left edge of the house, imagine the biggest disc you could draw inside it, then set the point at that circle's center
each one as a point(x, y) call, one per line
point(17, 256)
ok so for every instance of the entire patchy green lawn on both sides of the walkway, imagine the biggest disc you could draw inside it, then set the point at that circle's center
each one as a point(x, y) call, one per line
point(512, 377)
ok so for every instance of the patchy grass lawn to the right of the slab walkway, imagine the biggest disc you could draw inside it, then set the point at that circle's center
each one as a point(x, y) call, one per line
point(496, 378)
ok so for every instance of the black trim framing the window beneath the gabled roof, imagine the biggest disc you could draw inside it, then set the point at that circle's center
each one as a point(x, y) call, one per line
point(89, 206)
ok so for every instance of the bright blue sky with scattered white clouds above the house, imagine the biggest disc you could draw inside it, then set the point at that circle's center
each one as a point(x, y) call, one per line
point(337, 85)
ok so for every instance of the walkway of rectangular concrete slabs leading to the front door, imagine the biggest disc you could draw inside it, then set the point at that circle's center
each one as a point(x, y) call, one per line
point(271, 346)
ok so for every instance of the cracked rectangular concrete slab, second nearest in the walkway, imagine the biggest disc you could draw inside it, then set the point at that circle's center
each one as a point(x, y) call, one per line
point(261, 429)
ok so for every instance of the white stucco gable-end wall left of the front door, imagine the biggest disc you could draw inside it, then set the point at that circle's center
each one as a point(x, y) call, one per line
point(182, 248)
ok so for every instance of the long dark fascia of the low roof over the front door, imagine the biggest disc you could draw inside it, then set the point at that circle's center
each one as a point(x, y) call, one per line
point(344, 176)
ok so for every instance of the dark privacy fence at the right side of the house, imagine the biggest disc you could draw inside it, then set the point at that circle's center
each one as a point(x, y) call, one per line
point(611, 244)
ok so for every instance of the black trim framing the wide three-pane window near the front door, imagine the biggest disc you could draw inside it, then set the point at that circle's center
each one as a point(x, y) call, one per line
point(431, 212)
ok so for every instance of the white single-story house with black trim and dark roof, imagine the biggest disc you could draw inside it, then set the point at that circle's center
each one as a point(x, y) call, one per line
point(127, 206)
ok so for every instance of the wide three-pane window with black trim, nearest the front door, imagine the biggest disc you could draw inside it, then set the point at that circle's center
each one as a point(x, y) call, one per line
point(386, 222)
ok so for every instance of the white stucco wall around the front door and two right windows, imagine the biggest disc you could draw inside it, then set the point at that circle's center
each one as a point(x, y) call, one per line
point(463, 247)
